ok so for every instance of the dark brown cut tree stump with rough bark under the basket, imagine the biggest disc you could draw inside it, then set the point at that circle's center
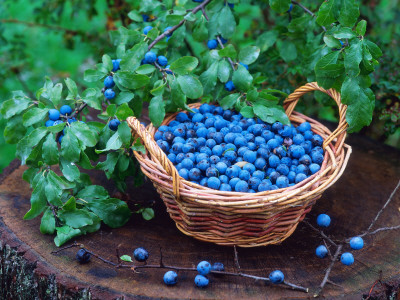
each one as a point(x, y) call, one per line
point(30, 271)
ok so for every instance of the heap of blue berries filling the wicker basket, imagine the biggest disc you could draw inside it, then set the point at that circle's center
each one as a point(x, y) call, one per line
point(222, 150)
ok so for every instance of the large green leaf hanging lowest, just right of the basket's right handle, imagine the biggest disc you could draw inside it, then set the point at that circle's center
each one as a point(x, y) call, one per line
point(360, 101)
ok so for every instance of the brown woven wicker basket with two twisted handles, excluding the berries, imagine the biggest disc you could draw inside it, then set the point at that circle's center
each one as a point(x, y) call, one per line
point(244, 219)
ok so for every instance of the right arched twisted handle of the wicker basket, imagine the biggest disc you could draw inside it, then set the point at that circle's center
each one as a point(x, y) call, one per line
point(340, 132)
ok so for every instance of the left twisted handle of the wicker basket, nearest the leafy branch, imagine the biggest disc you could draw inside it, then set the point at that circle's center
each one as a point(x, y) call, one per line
point(156, 152)
